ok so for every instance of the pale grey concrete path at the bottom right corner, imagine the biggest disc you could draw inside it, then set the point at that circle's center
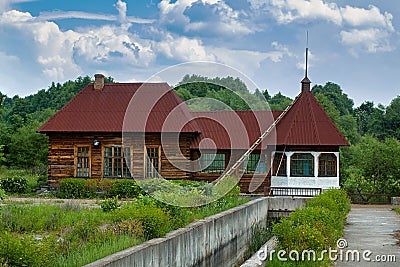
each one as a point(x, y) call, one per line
point(371, 228)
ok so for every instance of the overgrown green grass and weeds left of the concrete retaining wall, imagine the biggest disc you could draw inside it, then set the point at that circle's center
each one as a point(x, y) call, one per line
point(69, 234)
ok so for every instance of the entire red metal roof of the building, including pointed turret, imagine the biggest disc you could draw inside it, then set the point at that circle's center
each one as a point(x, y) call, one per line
point(155, 107)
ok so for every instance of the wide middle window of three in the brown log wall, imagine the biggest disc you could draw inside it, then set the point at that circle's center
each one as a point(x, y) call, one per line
point(117, 161)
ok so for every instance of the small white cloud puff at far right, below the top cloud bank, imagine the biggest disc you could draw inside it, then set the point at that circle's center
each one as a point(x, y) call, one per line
point(372, 40)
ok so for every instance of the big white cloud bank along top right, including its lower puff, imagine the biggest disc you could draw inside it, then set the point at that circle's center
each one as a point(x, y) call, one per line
point(372, 27)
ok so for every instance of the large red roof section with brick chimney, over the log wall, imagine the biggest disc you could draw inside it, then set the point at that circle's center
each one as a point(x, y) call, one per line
point(133, 107)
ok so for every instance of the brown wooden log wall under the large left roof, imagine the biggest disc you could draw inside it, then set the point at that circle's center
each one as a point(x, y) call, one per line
point(62, 154)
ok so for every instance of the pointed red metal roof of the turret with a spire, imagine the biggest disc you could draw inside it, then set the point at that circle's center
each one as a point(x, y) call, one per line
point(306, 123)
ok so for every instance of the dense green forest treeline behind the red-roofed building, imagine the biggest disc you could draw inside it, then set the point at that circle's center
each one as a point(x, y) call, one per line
point(371, 164)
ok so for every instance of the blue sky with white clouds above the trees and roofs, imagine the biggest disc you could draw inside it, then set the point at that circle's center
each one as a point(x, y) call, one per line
point(352, 43)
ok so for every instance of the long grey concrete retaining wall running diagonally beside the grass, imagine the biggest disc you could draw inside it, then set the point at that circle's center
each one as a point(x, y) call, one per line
point(219, 240)
